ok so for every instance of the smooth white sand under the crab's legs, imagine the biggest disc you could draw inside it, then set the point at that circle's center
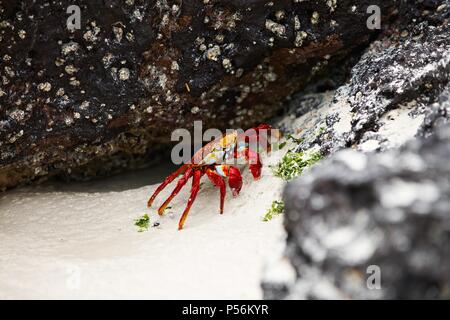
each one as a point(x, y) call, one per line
point(79, 240)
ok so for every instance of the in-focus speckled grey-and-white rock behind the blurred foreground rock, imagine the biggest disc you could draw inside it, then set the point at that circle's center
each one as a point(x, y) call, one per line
point(391, 89)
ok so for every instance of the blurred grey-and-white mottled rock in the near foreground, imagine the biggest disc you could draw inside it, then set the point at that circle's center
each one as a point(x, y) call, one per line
point(356, 210)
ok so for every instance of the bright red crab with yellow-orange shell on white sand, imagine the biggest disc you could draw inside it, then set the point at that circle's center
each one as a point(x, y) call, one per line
point(216, 160)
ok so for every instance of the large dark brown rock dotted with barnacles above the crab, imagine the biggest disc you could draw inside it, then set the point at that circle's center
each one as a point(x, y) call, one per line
point(139, 69)
